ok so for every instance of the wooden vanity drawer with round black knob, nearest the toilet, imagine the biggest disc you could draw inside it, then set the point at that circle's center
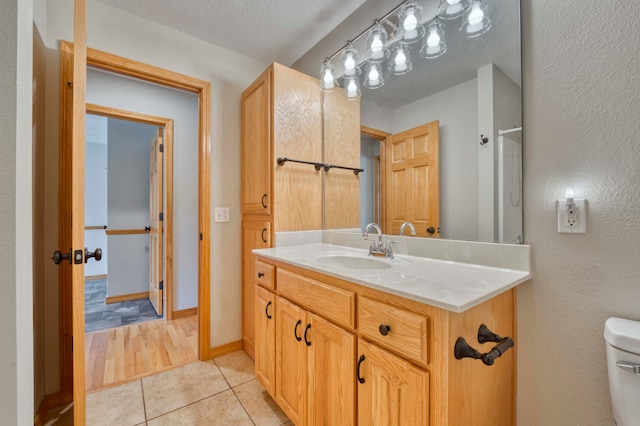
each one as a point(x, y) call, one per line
point(397, 329)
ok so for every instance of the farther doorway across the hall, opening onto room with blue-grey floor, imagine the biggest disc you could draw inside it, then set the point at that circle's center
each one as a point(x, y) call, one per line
point(127, 158)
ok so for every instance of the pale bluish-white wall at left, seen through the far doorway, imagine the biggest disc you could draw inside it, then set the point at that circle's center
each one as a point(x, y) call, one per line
point(95, 205)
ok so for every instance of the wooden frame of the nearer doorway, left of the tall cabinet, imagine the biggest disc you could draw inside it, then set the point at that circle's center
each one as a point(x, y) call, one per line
point(131, 68)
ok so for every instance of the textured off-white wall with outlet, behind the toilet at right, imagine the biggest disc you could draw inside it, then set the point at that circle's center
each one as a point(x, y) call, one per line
point(581, 127)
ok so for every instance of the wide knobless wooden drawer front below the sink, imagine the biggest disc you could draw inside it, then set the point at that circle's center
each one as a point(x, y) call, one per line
point(333, 303)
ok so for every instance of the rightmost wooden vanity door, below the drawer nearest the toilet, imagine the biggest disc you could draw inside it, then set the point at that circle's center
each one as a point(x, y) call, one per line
point(394, 392)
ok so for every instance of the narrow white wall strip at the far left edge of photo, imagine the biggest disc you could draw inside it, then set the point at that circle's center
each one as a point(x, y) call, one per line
point(16, 291)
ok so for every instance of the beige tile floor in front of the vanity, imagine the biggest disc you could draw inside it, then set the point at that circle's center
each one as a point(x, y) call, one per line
point(223, 391)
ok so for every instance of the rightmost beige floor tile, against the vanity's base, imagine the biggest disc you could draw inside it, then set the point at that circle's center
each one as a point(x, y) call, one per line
point(262, 409)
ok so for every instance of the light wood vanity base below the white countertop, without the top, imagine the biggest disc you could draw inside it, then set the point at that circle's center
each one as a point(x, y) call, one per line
point(335, 364)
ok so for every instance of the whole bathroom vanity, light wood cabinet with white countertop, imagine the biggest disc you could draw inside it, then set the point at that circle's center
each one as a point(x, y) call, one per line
point(347, 338)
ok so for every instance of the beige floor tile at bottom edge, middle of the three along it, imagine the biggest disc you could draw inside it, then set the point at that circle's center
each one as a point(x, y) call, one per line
point(222, 409)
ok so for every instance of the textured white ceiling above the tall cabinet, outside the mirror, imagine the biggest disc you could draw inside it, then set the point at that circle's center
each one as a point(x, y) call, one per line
point(265, 30)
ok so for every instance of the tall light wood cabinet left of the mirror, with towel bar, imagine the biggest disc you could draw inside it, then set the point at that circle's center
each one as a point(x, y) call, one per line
point(281, 117)
